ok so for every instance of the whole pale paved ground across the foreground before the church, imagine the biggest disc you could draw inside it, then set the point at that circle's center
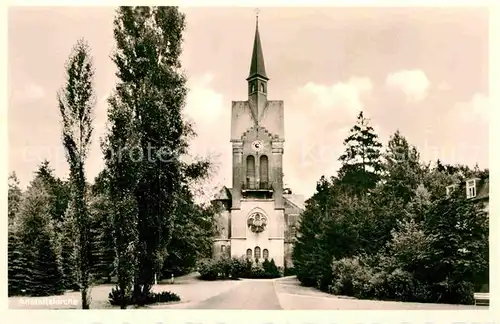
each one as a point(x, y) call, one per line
point(250, 294)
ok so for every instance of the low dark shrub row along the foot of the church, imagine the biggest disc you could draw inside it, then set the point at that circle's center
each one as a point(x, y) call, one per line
point(235, 268)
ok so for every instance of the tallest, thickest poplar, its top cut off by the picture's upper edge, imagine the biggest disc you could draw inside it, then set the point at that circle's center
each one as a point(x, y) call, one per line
point(152, 89)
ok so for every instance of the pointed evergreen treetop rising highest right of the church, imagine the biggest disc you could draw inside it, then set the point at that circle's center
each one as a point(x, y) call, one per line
point(361, 162)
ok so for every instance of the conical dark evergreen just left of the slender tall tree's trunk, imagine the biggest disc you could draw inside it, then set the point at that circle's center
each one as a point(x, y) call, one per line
point(38, 239)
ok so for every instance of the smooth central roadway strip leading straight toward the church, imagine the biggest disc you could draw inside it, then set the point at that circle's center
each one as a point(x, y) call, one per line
point(249, 294)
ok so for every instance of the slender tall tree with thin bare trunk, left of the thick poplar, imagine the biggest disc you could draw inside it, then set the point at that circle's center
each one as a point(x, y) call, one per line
point(76, 104)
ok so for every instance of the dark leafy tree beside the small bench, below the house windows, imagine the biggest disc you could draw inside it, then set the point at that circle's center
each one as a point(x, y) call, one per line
point(459, 233)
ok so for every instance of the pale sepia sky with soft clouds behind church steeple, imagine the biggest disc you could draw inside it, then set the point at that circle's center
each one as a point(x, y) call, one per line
point(423, 71)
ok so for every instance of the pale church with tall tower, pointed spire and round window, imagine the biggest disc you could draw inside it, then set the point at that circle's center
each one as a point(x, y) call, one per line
point(259, 216)
